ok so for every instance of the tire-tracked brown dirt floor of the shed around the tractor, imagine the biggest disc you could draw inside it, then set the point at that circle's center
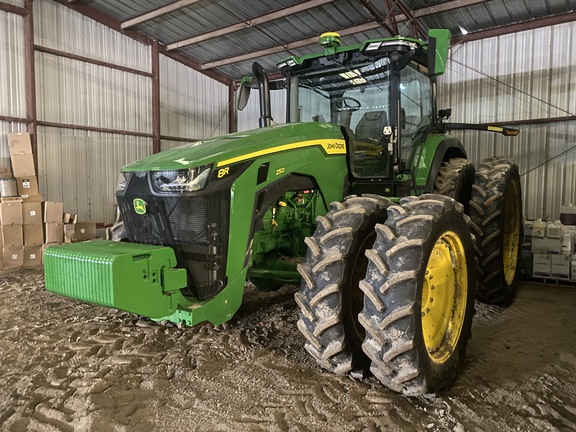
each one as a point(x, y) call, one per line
point(69, 366)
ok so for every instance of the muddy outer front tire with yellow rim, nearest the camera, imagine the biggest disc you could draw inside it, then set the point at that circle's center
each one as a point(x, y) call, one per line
point(419, 295)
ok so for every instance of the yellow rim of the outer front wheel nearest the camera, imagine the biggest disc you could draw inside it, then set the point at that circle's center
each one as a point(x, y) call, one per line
point(444, 297)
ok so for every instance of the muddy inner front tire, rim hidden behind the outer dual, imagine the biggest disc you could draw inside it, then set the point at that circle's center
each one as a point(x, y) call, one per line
point(329, 297)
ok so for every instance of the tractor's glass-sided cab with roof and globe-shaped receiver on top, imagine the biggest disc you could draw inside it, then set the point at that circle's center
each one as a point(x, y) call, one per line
point(380, 93)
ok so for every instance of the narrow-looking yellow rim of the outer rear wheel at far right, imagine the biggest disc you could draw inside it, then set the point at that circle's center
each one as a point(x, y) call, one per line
point(511, 232)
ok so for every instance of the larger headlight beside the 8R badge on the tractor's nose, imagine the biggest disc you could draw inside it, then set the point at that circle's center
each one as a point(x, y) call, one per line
point(184, 180)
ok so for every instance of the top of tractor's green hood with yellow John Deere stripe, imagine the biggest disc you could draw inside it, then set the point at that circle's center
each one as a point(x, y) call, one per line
point(231, 148)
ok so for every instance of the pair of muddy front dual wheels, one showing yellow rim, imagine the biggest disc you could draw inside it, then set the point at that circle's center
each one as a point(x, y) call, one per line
point(406, 312)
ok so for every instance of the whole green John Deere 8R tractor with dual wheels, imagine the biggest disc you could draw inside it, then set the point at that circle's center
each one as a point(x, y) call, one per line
point(361, 197)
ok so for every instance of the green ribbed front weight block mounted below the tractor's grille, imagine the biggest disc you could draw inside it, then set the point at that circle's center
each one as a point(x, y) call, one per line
point(133, 277)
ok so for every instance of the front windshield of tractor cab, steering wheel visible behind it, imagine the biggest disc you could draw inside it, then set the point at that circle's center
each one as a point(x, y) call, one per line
point(356, 97)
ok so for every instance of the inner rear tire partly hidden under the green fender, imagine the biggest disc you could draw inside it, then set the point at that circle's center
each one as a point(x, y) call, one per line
point(455, 179)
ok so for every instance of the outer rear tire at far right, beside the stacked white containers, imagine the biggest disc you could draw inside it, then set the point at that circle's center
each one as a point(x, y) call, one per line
point(496, 213)
